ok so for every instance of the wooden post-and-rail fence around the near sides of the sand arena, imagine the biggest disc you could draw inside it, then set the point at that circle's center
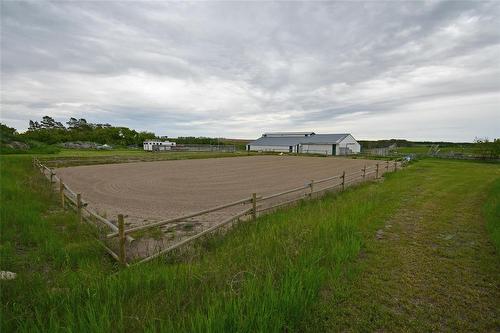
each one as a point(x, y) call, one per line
point(253, 206)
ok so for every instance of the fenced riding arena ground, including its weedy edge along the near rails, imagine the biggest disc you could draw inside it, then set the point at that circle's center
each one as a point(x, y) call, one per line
point(150, 192)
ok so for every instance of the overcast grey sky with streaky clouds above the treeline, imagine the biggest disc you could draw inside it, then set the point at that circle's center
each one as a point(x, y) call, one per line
point(415, 70)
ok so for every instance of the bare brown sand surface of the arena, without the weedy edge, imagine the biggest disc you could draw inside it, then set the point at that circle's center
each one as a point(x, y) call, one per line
point(156, 190)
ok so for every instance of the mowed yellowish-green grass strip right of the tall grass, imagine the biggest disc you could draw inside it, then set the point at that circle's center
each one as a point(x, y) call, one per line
point(432, 266)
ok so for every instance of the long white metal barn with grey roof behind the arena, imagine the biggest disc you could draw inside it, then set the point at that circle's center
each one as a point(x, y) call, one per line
point(307, 143)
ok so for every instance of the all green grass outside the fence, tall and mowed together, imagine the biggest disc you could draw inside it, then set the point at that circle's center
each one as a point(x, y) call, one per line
point(318, 266)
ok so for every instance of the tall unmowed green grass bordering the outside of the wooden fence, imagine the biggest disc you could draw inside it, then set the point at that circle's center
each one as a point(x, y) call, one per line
point(262, 276)
